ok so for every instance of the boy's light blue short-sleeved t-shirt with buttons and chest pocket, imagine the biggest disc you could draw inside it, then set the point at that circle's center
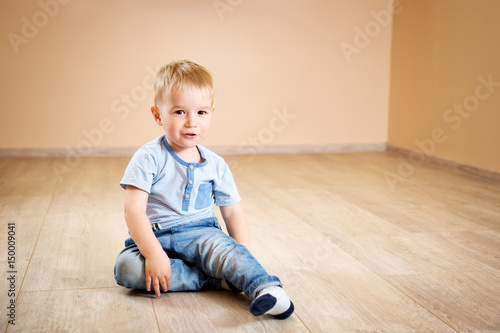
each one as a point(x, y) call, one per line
point(180, 192)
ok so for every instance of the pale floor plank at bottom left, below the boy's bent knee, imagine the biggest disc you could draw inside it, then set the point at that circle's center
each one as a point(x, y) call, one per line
point(84, 310)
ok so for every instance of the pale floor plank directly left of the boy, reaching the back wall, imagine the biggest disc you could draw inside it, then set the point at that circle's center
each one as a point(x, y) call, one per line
point(84, 227)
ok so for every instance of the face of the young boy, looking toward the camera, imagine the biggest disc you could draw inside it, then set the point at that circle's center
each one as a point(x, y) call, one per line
point(185, 116)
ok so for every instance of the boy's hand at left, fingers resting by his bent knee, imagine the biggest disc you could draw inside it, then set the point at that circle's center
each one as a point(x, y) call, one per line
point(158, 272)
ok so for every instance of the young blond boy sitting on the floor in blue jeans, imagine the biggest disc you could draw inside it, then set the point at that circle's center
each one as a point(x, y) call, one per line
point(171, 186)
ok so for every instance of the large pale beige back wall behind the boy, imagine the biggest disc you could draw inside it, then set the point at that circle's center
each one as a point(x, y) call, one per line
point(74, 74)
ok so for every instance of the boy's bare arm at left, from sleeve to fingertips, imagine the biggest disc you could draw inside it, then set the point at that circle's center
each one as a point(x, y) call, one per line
point(157, 268)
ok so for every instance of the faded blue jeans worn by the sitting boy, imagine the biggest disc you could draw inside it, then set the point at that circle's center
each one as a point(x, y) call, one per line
point(201, 255)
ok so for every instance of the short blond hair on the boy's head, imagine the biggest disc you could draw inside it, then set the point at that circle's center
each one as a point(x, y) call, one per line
point(180, 73)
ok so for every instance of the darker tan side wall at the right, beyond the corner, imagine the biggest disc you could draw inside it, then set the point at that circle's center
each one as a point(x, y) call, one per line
point(442, 53)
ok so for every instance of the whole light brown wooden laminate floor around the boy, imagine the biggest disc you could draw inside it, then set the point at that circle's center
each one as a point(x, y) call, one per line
point(361, 243)
